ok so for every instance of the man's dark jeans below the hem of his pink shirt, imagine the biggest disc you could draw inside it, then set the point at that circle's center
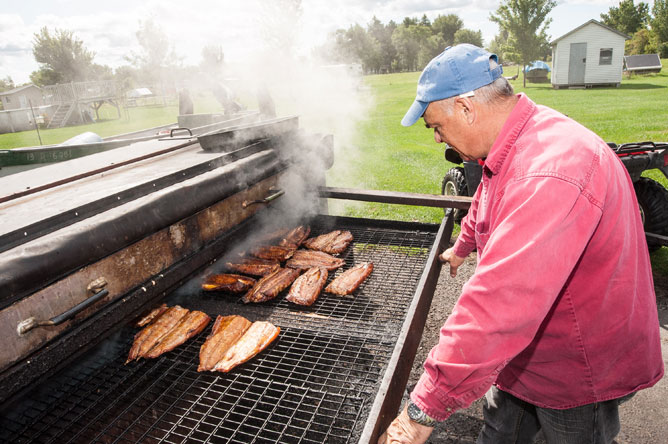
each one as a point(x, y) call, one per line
point(511, 420)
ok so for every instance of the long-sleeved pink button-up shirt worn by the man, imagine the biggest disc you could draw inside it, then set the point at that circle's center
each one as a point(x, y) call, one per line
point(561, 310)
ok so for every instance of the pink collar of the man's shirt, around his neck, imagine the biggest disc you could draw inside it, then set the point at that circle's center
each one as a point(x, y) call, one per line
point(523, 110)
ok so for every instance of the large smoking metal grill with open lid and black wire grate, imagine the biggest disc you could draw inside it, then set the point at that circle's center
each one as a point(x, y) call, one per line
point(333, 375)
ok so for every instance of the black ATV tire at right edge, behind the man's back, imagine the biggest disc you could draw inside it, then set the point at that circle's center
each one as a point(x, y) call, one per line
point(653, 201)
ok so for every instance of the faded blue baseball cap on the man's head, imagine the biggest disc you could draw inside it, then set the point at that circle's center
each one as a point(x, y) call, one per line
point(458, 70)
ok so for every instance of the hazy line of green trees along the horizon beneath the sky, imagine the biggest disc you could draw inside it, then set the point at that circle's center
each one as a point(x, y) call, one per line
point(378, 47)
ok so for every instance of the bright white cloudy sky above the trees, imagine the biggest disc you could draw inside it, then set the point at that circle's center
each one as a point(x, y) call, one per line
point(108, 28)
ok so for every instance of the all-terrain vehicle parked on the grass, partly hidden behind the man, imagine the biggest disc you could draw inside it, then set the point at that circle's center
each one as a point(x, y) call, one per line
point(637, 157)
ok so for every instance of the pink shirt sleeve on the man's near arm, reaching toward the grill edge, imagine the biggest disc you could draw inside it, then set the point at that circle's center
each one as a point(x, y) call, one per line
point(541, 228)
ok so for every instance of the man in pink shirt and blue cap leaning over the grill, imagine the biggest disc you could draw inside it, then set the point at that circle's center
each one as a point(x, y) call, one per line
point(558, 325)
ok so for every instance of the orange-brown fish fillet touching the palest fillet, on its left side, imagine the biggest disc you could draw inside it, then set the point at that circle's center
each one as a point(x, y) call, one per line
point(225, 333)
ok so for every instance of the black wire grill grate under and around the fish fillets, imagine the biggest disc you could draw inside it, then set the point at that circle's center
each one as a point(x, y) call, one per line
point(314, 384)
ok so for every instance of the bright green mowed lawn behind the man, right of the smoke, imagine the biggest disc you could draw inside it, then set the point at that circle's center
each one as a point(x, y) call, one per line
point(388, 156)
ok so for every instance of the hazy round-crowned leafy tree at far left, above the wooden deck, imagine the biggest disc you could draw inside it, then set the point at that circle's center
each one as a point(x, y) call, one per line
point(62, 57)
